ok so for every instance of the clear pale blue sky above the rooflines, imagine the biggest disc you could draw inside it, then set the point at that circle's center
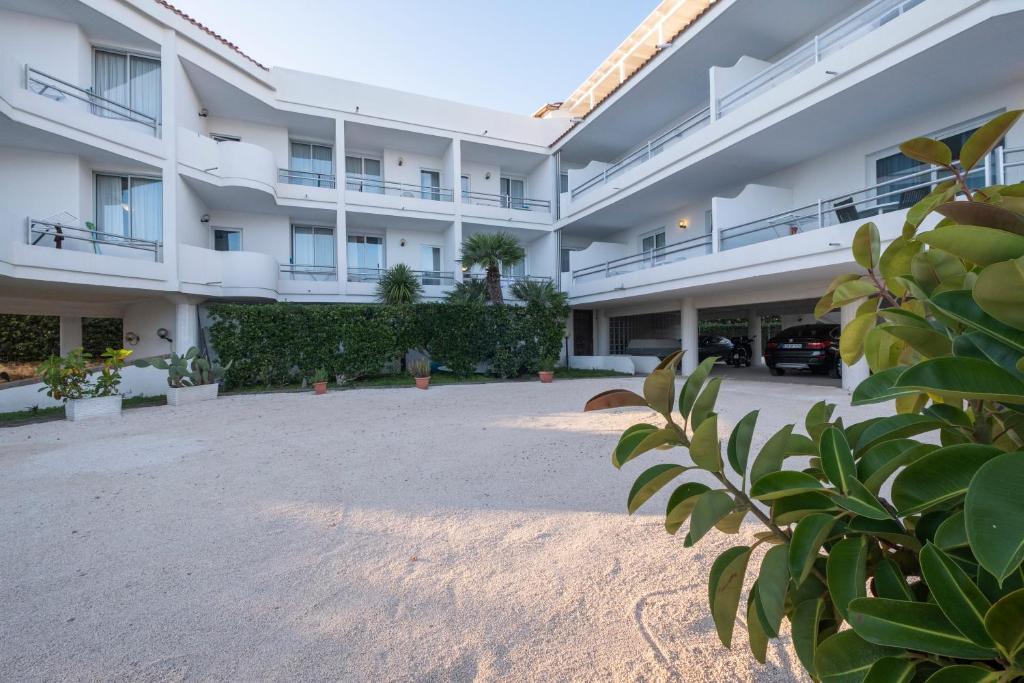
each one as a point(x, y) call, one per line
point(506, 56)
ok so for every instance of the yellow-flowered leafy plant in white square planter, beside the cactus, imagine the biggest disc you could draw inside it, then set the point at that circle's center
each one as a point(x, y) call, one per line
point(67, 379)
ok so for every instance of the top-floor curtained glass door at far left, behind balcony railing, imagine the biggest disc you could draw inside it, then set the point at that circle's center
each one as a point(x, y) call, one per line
point(130, 80)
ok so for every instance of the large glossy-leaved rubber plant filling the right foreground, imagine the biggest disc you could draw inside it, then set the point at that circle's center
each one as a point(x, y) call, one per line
point(930, 580)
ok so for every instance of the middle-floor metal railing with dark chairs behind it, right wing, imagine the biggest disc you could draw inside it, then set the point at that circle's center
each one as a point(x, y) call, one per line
point(897, 194)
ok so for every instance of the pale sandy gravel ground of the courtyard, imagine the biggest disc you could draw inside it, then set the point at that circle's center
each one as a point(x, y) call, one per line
point(462, 534)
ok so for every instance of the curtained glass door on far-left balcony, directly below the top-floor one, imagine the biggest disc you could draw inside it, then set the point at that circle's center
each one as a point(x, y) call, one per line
point(131, 206)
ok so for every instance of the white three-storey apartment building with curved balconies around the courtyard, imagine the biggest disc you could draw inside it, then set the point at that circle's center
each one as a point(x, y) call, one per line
point(717, 164)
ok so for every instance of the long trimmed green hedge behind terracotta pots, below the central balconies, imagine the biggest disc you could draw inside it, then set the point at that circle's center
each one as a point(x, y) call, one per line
point(280, 344)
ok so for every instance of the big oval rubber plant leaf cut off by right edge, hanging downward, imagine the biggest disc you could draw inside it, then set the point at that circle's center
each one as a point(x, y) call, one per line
point(994, 514)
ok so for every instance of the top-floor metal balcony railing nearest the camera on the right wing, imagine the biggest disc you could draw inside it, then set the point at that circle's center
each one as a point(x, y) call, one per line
point(860, 24)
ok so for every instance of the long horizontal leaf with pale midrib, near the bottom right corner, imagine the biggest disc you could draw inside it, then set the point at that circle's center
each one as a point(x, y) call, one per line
point(916, 626)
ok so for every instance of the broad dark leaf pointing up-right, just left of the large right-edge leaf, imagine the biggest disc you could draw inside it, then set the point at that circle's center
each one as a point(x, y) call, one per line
point(940, 479)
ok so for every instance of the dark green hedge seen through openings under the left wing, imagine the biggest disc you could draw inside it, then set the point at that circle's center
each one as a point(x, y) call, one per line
point(28, 338)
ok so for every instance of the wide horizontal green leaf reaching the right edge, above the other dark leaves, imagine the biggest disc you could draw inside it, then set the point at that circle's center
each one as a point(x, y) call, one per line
point(964, 378)
